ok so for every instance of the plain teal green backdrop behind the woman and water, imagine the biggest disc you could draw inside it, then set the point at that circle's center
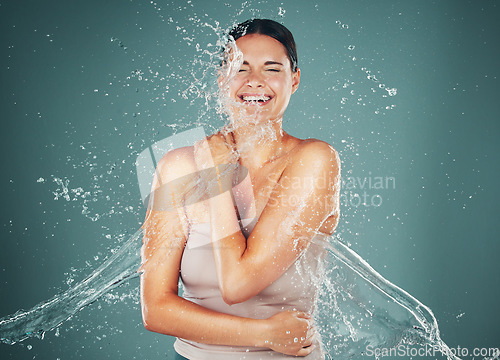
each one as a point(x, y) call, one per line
point(73, 106)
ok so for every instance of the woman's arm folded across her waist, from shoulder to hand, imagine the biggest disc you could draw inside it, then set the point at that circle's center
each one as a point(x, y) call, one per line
point(163, 311)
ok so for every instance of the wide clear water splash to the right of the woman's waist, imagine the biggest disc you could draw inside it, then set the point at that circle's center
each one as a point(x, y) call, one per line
point(370, 310)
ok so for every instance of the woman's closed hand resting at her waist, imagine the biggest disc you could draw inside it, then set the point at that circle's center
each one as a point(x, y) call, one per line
point(291, 333)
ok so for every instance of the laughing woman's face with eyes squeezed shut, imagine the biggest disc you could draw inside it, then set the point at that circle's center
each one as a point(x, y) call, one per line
point(262, 87)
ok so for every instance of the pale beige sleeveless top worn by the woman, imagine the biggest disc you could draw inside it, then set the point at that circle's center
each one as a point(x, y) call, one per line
point(296, 289)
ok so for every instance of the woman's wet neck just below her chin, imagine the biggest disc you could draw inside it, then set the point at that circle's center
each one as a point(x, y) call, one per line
point(260, 143)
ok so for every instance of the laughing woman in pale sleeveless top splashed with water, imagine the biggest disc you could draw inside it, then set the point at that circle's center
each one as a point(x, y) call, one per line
point(246, 249)
